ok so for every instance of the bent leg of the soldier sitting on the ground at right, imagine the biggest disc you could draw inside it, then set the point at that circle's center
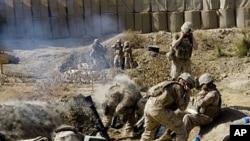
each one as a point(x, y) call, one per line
point(190, 121)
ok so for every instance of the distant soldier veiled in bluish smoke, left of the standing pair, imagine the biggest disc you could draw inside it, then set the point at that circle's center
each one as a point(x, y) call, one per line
point(97, 54)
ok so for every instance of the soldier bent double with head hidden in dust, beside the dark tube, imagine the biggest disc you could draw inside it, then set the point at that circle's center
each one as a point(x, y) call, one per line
point(121, 100)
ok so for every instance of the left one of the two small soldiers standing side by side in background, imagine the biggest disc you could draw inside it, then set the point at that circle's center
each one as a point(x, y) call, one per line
point(118, 60)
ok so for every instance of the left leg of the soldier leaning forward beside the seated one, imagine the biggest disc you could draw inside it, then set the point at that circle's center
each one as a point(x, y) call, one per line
point(150, 128)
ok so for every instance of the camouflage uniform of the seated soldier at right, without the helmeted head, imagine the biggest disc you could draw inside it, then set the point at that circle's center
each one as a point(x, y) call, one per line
point(208, 105)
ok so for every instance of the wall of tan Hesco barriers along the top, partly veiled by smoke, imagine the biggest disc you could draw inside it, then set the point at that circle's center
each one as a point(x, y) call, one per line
point(50, 19)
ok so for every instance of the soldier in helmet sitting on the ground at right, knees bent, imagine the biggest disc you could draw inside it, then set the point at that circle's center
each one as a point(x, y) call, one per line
point(207, 104)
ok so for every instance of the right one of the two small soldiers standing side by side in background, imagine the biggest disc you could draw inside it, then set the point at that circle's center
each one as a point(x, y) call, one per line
point(127, 52)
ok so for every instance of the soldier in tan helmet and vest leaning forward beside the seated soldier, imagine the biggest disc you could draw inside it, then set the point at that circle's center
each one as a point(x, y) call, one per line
point(164, 99)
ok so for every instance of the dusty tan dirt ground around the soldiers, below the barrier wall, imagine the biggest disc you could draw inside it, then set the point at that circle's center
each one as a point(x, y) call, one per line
point(40, 74)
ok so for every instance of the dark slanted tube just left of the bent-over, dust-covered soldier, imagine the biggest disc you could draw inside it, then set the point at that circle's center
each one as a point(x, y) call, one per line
point(100, 125)
